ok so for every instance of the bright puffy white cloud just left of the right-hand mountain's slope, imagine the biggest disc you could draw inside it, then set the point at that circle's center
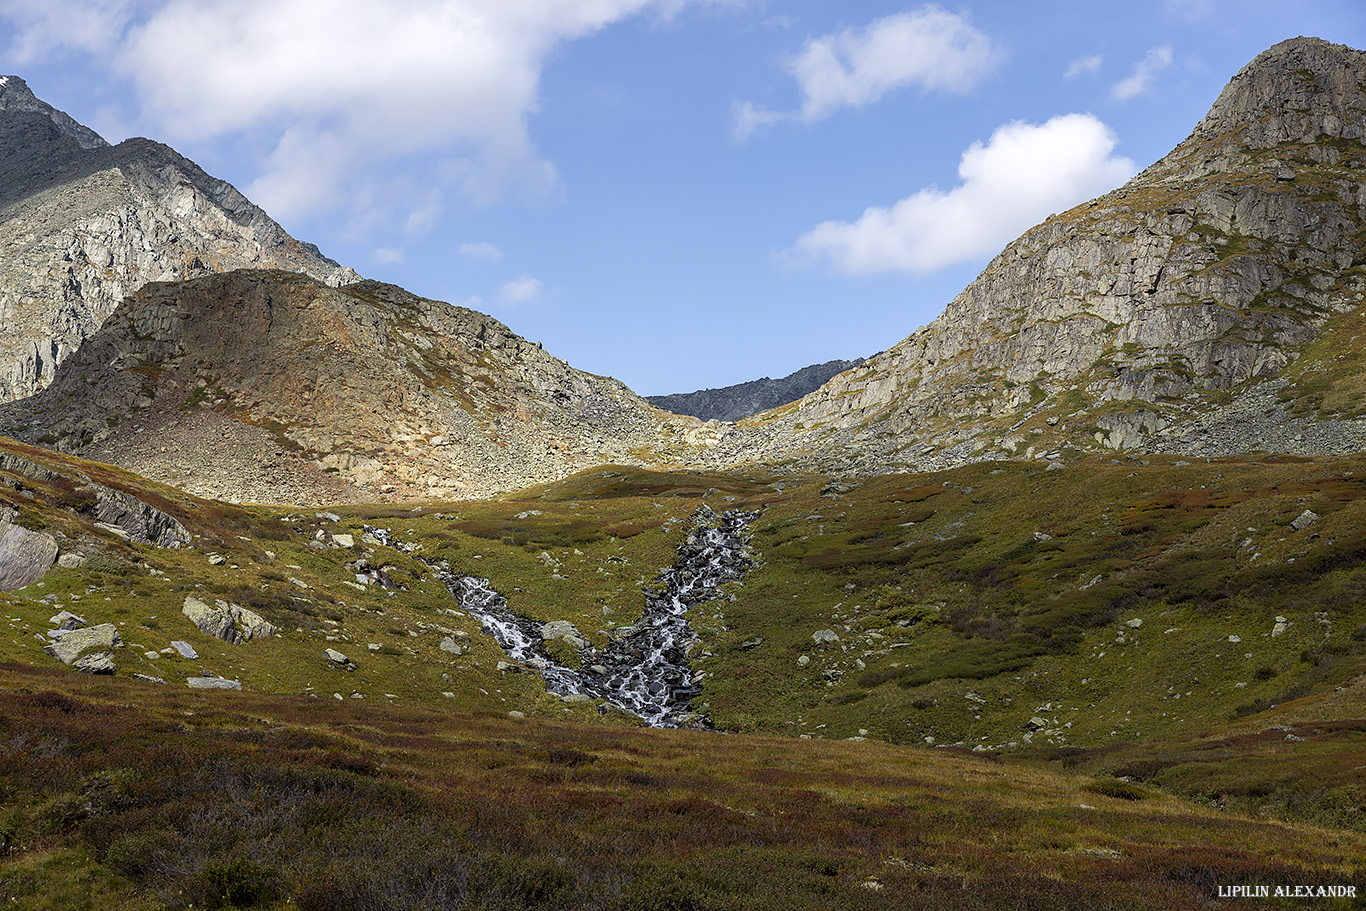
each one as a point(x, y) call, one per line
point(1024, 174)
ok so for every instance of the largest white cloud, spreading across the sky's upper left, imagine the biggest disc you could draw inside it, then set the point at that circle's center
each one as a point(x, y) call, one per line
point(338, 88)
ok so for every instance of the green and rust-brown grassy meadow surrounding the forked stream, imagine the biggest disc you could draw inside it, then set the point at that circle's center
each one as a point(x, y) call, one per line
point(1044, 690)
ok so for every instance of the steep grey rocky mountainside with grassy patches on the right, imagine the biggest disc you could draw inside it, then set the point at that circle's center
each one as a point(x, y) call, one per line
point(1113, 322)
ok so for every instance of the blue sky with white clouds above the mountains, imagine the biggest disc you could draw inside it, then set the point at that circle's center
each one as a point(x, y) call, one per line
point(681, 195)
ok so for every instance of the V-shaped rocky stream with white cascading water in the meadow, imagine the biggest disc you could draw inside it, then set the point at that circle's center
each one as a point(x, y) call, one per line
point(647, 670)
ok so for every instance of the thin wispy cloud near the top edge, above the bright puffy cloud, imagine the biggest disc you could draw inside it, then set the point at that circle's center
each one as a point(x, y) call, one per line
point(928, 48)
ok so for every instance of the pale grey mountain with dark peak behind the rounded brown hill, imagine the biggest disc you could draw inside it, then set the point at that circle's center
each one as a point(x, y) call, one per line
point(84, 225)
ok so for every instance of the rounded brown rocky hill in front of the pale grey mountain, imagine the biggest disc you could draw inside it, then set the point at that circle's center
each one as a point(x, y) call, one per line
point(274, 387)
